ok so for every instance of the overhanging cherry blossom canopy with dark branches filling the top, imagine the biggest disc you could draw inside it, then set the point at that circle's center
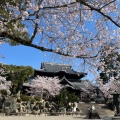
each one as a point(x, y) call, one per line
point(71, 28)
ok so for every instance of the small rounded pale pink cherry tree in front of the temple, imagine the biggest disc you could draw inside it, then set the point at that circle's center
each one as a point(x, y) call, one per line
point(45, 85)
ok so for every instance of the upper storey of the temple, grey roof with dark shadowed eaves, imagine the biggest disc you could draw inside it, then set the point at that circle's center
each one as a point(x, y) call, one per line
point(60, 70)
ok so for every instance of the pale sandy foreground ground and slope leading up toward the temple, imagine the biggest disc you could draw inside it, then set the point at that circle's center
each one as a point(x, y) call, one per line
point(104, 113)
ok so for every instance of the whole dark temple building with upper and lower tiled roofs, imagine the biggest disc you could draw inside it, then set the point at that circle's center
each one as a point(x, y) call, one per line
point(70, 79)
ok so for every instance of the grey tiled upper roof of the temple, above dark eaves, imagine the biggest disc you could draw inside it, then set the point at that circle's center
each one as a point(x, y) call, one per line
point(53, 67)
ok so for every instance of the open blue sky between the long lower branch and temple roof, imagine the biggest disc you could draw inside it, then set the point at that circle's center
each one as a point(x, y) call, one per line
point(27, 56)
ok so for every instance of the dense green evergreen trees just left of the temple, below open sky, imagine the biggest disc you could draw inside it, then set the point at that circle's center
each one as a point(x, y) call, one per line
point(17, 75)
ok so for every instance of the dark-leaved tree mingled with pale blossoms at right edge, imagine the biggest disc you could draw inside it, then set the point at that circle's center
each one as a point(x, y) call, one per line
point(109, 64)
